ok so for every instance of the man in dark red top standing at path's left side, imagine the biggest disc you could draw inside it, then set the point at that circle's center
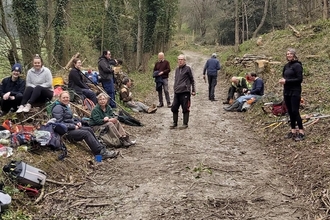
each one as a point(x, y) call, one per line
point(163, 68)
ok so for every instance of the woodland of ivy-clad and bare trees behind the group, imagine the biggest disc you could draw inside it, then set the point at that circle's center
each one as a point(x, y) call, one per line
point(135, 30)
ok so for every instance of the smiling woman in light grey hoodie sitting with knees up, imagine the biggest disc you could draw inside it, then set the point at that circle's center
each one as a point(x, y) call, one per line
point(39, 85)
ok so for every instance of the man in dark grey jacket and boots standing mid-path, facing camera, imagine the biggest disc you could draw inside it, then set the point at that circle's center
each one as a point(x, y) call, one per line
point(184, 87)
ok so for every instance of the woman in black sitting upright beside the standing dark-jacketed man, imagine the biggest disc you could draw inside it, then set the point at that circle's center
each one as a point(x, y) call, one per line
point(76, 82)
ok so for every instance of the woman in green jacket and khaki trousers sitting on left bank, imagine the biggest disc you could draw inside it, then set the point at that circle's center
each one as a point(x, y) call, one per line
point(102, 115)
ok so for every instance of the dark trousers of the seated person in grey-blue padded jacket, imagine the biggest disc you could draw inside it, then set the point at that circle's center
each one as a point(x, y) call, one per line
point(87, 134)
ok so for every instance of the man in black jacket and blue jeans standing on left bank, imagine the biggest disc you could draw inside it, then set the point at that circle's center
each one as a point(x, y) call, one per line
point(106, 72)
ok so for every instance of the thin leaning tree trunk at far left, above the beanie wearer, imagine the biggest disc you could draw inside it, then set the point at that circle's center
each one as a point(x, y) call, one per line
point(12, 52)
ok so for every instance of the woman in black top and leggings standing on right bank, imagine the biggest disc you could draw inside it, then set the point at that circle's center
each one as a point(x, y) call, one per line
point(291, 81)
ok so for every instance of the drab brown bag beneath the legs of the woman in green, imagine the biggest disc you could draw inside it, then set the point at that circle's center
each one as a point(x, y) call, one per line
point(106, 137)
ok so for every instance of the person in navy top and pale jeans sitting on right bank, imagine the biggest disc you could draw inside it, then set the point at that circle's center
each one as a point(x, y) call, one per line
point(255, 93)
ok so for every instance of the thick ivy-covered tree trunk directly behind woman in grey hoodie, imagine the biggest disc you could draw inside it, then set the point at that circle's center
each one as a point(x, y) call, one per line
point(27, 21)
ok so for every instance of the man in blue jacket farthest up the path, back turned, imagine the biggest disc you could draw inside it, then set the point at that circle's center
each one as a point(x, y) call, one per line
point(212, 66)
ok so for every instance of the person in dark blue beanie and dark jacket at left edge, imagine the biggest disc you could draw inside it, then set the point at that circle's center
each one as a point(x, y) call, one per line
point(11, 90)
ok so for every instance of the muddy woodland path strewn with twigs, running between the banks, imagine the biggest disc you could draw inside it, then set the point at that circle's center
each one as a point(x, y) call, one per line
point(215, 169)
